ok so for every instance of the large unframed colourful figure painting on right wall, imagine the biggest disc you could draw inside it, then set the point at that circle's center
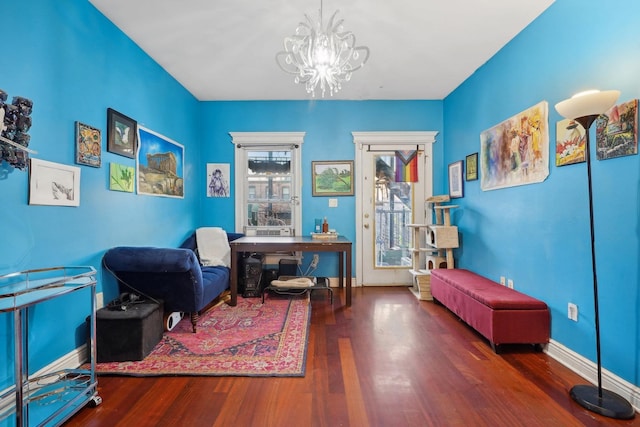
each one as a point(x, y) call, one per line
point(516, 151)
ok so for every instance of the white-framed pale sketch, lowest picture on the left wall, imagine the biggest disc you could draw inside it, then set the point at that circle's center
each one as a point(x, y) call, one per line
point(53, 184)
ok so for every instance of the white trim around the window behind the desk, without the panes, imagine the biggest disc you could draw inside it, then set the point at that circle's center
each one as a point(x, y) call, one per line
point(267, 140)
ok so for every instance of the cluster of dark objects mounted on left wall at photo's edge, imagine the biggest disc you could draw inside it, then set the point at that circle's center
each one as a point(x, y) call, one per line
point(15, 122)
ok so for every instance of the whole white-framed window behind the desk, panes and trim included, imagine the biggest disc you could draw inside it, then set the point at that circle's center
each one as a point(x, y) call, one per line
point(267, 172)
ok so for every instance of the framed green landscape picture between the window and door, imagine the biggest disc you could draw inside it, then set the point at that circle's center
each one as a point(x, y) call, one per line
point(332, 178)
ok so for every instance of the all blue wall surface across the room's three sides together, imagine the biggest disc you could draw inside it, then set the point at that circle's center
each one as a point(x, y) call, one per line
point(75, 64)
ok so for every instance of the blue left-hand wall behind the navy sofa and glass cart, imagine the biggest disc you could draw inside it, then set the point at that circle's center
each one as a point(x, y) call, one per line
point(74, 64)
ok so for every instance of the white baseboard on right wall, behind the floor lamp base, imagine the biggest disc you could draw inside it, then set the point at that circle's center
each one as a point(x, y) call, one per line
point(589, 371)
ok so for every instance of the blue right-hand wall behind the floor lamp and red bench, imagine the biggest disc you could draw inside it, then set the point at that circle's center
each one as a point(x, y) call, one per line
point(539, 234)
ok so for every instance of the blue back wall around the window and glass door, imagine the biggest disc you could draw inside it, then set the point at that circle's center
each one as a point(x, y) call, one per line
point(328, 126)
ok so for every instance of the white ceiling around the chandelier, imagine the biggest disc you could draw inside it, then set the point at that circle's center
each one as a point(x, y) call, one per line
point(225, 50)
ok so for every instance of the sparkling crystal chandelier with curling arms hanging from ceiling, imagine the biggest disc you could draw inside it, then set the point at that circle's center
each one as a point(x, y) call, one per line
point(319, 55)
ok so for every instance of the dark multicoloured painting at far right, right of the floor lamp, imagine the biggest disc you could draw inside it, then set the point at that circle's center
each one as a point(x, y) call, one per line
point(617, 131)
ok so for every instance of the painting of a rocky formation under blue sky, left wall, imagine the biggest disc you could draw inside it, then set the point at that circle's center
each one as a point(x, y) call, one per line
point(159, 165)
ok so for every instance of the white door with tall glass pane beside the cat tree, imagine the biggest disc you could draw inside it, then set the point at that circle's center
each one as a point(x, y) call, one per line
point(385, 207)
